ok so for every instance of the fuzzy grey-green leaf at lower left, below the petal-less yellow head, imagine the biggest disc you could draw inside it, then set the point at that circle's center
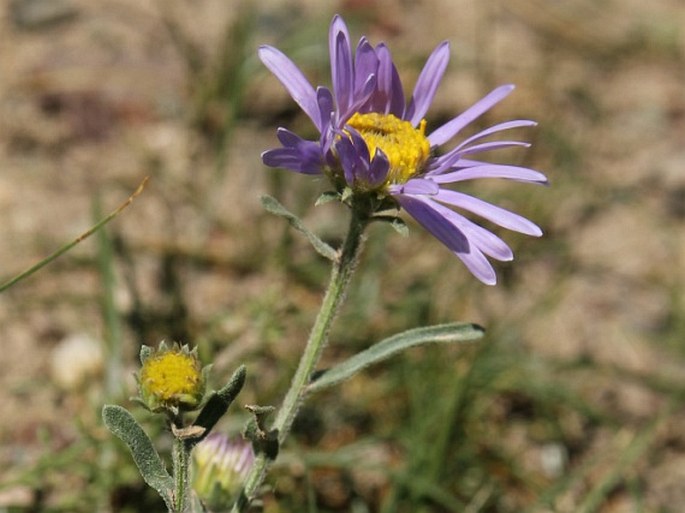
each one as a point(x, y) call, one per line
point(122, 424)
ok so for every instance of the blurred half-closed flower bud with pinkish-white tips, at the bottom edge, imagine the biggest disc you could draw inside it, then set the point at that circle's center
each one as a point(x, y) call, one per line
point(220, 466)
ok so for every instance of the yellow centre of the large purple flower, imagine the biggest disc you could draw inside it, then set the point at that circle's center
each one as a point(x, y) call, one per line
point(407, 148)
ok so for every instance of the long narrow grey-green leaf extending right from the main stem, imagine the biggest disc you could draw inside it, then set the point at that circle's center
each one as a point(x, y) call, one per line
point(442, 333)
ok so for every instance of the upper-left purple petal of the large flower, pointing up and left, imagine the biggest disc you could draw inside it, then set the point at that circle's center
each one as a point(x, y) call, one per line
point(293, 80)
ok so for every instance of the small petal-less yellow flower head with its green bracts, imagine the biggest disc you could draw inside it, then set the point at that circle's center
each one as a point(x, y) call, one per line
point(171, 379)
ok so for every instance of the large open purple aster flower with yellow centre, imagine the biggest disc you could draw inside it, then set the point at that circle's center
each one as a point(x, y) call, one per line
point(373, 142)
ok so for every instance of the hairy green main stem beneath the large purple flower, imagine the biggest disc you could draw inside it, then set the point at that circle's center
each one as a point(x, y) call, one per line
point(341, 273)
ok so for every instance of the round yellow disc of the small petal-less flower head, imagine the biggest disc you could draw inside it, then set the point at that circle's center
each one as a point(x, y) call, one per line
point(171, 374)
